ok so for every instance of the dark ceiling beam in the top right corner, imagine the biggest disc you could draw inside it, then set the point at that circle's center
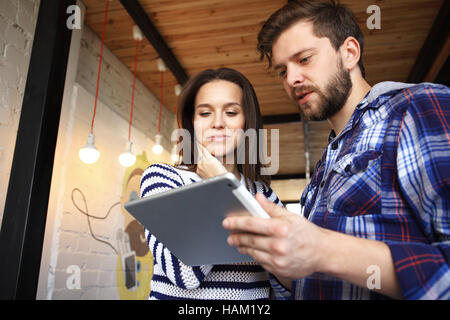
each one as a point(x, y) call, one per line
point(433, 44)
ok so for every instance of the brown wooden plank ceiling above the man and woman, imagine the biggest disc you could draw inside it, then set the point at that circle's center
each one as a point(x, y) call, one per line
point(206, 34)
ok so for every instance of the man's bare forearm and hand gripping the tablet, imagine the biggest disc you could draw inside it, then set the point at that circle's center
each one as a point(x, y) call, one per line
point(291, 247)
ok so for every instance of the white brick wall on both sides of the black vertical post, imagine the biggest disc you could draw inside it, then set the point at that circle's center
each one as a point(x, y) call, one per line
point(68, 241)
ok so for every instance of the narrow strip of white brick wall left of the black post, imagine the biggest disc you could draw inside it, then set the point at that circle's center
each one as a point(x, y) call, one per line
point(17, 24)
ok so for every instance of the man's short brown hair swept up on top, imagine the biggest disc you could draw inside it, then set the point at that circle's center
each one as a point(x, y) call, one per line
point(330, 19)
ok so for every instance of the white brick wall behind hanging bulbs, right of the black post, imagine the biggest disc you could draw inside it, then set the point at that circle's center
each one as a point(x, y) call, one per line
point(68, 240)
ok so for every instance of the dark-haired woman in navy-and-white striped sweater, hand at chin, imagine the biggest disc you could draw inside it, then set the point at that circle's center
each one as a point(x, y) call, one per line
point(215, 107)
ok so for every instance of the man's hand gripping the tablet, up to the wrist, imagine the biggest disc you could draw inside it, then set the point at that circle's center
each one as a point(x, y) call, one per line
point(287, 245)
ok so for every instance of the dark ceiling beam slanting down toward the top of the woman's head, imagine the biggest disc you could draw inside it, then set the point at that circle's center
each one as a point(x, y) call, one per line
point(140, 17)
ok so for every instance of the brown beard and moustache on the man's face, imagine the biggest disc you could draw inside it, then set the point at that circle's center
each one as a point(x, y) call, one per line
point(330, 101)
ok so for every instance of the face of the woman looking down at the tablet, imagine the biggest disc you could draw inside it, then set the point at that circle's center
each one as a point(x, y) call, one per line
point(218, 116)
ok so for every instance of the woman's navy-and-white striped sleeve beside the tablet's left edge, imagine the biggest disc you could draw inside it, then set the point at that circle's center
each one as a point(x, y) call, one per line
point(156, 179)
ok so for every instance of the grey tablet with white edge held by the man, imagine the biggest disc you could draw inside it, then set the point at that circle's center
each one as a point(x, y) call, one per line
point(188, 220)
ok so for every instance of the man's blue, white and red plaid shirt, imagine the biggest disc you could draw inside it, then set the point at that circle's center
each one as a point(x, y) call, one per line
point(386, 177)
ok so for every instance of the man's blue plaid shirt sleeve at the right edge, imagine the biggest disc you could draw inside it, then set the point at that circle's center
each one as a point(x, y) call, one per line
point(423, 166)
